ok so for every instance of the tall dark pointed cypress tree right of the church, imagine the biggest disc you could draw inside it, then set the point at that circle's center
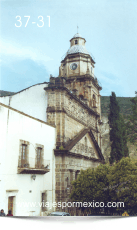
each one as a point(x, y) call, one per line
point(118, 135)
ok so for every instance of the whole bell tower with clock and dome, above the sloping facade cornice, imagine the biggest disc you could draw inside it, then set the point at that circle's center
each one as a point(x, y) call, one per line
point(77, 68)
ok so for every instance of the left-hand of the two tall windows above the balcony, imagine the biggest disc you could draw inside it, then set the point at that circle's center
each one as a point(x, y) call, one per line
point(23, 154)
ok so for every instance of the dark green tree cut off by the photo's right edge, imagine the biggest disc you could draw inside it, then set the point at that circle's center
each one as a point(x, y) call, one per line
point(131, 125)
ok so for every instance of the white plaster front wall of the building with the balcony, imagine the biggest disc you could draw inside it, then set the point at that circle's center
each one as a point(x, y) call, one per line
point(13, 127)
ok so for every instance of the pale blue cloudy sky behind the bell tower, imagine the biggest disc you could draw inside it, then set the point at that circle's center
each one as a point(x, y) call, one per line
point(29, 53)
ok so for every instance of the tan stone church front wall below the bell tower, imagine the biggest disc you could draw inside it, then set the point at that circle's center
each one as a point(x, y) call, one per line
point(70, 117)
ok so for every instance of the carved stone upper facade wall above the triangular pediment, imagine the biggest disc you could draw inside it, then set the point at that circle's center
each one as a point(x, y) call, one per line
point(69, 116)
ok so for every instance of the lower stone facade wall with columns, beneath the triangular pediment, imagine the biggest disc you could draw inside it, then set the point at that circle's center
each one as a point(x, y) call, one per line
point(67, 169)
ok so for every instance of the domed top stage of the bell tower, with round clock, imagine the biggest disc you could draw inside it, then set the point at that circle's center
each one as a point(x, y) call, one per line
point(77, 61)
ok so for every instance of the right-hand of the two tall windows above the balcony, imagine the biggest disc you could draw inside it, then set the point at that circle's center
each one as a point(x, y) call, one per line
point(39, 156)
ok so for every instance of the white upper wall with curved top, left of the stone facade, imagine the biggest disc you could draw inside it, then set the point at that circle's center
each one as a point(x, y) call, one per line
point(32, 101)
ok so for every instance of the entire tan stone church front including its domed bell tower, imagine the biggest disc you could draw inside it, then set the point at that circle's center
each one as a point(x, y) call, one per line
point(74, 108)
